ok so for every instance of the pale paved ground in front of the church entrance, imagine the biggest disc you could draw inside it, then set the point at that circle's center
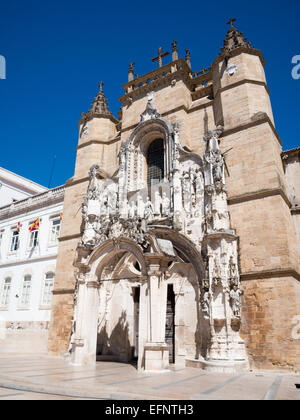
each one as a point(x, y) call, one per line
point(43, 377)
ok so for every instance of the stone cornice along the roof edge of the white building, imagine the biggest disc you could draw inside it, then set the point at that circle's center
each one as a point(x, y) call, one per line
point(39, 200)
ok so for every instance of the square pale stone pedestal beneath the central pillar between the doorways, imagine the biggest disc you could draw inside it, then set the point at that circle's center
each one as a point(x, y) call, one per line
point(156, 357)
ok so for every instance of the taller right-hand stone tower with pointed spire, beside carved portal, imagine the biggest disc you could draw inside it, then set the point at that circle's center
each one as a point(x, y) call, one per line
point(258, 202)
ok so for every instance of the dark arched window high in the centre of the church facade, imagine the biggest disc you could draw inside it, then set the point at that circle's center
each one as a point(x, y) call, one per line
point(155, 162)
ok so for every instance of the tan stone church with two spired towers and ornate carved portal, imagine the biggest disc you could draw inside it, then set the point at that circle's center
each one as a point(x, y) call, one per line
point(179, 239)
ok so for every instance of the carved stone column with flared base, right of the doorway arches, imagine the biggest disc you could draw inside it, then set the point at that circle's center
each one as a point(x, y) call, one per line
point(227, 350)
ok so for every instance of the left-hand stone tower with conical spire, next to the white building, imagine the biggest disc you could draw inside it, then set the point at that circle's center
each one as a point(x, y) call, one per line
point(98, 142)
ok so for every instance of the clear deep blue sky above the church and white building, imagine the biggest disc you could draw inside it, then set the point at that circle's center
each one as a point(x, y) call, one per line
point(57, 53)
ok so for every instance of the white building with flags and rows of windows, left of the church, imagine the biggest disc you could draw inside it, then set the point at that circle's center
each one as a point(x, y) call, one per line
point(27, 261)
